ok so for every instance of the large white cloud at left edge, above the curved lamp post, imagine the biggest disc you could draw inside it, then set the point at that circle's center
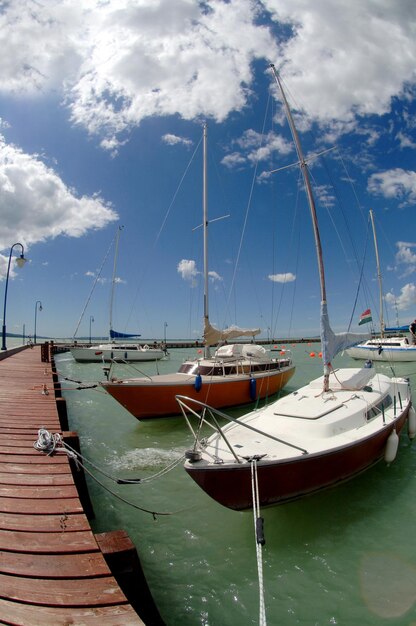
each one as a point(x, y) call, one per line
point(36, 205)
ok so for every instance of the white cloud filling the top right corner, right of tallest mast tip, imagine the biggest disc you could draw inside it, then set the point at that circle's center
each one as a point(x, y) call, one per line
point(336, 59)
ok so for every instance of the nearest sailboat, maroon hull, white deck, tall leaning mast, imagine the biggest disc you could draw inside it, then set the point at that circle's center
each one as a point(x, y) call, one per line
point(324, 433)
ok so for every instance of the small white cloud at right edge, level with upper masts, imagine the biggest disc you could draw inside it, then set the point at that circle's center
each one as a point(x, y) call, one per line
point(395, 184)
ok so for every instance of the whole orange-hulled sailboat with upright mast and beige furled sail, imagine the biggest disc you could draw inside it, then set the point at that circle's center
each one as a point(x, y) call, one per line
point(237, 373)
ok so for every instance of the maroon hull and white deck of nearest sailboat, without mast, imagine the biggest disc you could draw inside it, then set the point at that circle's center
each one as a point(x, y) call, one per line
point(305, 442)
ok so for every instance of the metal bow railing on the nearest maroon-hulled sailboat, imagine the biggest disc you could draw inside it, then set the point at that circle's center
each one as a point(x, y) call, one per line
point(191, 406)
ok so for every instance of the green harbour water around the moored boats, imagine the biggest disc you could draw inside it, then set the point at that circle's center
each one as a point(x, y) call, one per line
point(345, 556)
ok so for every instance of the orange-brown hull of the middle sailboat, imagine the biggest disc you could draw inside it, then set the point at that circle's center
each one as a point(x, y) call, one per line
point(156, 397)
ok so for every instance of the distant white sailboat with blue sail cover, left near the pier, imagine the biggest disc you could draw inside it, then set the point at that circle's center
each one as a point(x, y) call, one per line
point(117, 351)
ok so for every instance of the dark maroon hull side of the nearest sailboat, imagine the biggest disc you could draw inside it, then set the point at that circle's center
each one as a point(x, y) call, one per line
point(286, 480)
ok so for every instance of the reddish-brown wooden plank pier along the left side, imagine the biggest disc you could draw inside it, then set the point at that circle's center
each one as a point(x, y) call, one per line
point(52, 570)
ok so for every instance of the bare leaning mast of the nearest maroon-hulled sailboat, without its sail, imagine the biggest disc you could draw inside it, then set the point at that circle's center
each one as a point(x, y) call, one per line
point(311, 201)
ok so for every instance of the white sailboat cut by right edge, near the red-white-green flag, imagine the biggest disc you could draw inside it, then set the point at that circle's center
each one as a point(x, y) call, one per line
point(389, 347)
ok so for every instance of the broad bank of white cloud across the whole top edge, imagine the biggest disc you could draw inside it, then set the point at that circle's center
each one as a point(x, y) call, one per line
point(121, 61)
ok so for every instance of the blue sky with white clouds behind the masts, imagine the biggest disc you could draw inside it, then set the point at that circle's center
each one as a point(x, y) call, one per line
point(101, 113)
